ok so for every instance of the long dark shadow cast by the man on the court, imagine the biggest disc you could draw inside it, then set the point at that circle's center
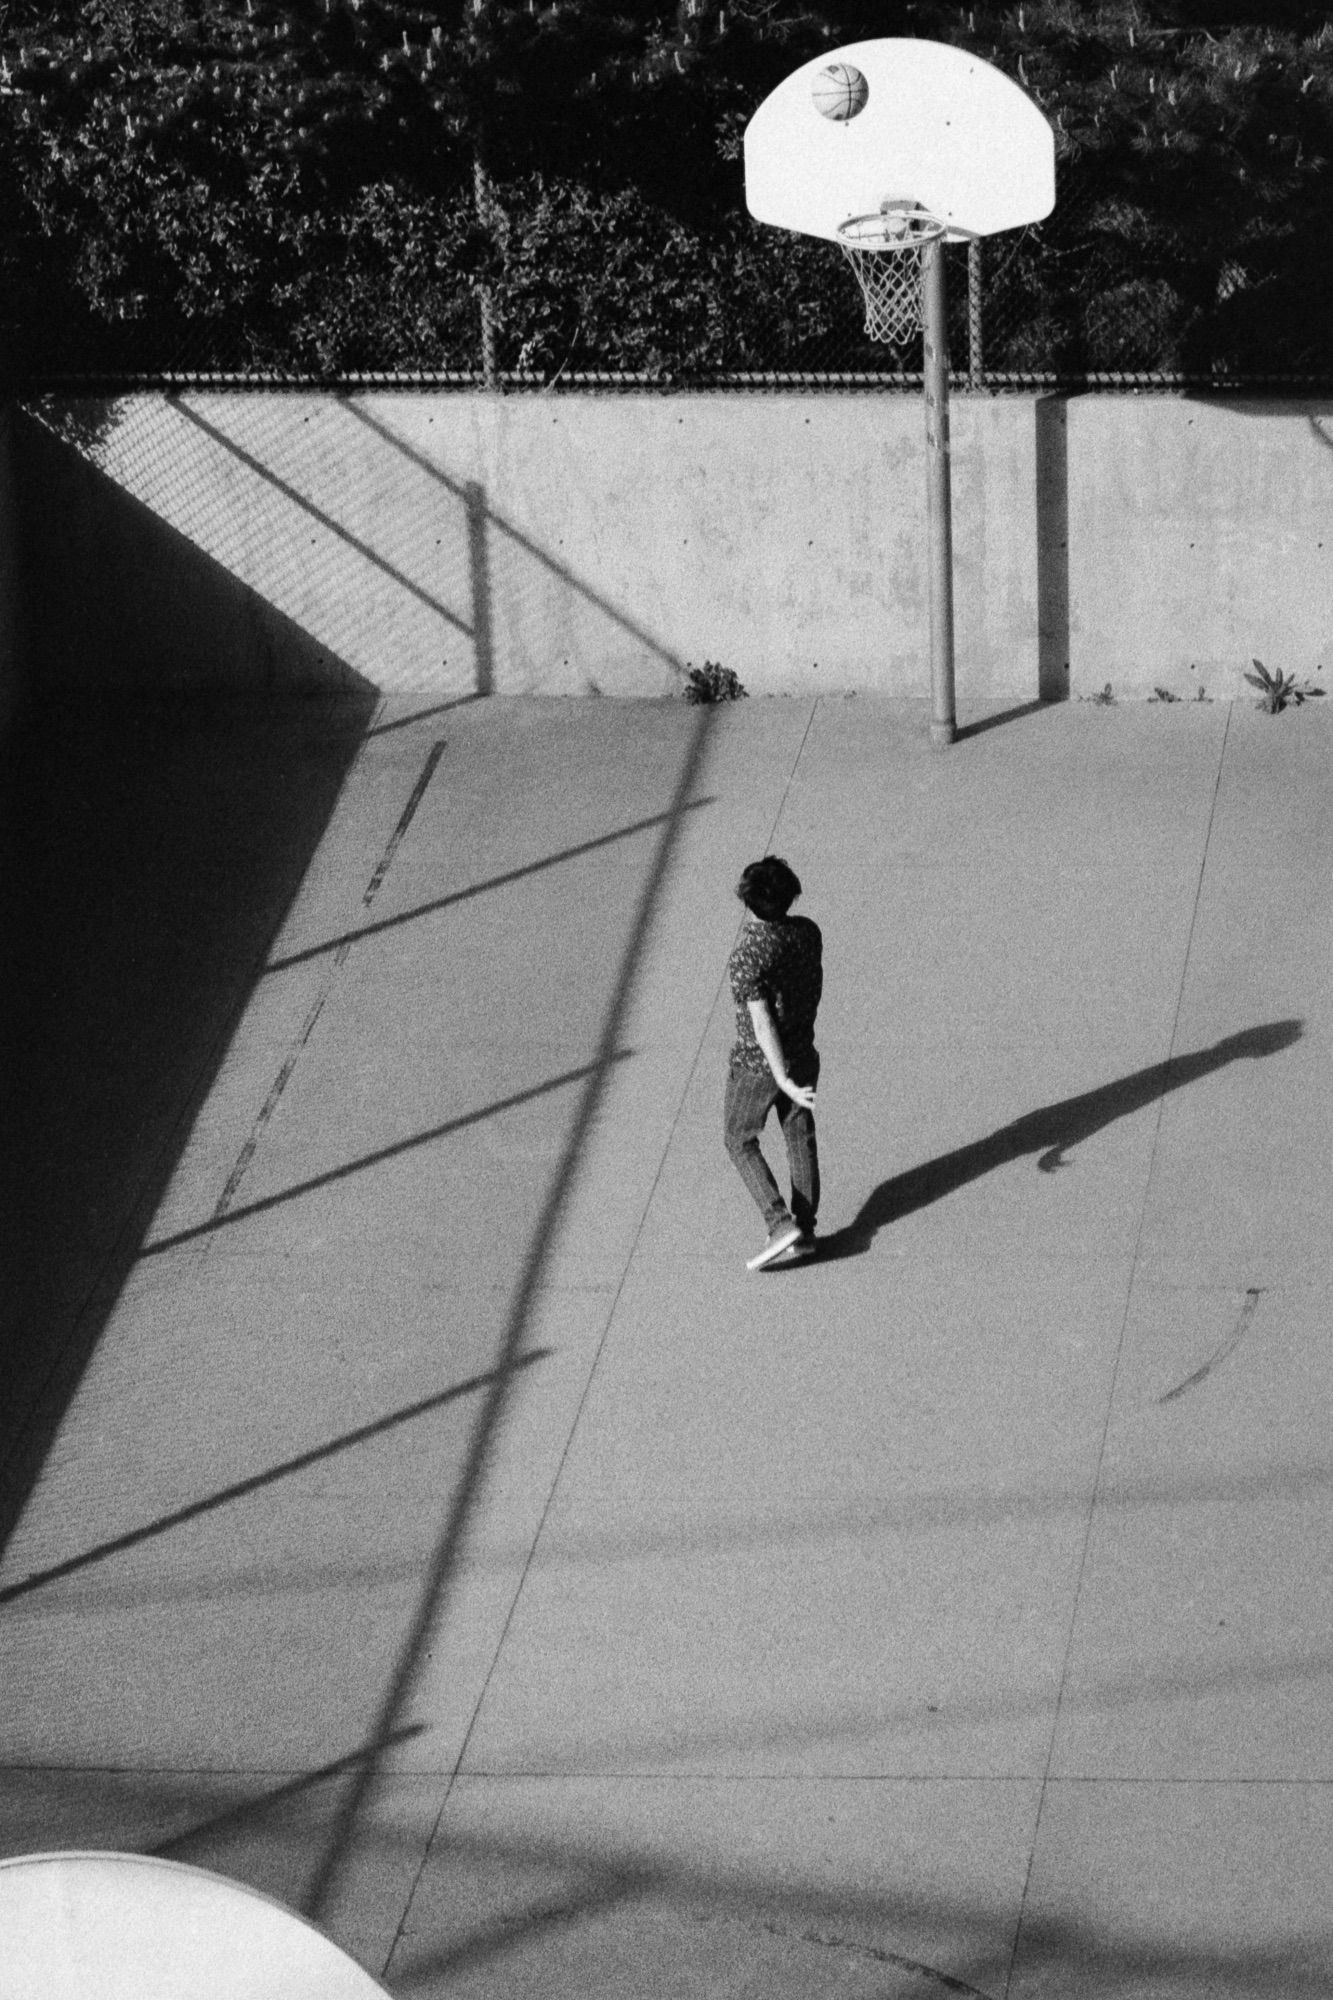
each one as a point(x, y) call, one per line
point(1050, 1133)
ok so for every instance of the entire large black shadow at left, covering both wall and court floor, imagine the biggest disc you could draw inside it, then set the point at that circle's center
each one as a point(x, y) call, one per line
point(153, 843)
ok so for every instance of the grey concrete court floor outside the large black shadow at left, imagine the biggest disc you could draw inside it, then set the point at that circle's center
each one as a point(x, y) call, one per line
point(425, 1519)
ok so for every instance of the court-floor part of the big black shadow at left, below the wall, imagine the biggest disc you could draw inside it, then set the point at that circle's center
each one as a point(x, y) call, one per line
point(151, 855)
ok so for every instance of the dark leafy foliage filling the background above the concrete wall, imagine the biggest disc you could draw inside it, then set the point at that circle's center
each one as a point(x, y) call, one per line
point(247, 183)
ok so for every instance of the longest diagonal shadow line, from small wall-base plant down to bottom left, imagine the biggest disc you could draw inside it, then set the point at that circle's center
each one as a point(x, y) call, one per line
point(449, 1547)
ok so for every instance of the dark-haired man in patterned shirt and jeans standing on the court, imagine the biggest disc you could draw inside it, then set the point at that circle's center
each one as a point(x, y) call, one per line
point(776, 979)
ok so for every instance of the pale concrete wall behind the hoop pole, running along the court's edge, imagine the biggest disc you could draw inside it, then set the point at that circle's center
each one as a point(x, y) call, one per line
point(439, 545)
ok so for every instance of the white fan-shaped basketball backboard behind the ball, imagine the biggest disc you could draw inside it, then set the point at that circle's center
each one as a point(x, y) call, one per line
point(940, 127)
